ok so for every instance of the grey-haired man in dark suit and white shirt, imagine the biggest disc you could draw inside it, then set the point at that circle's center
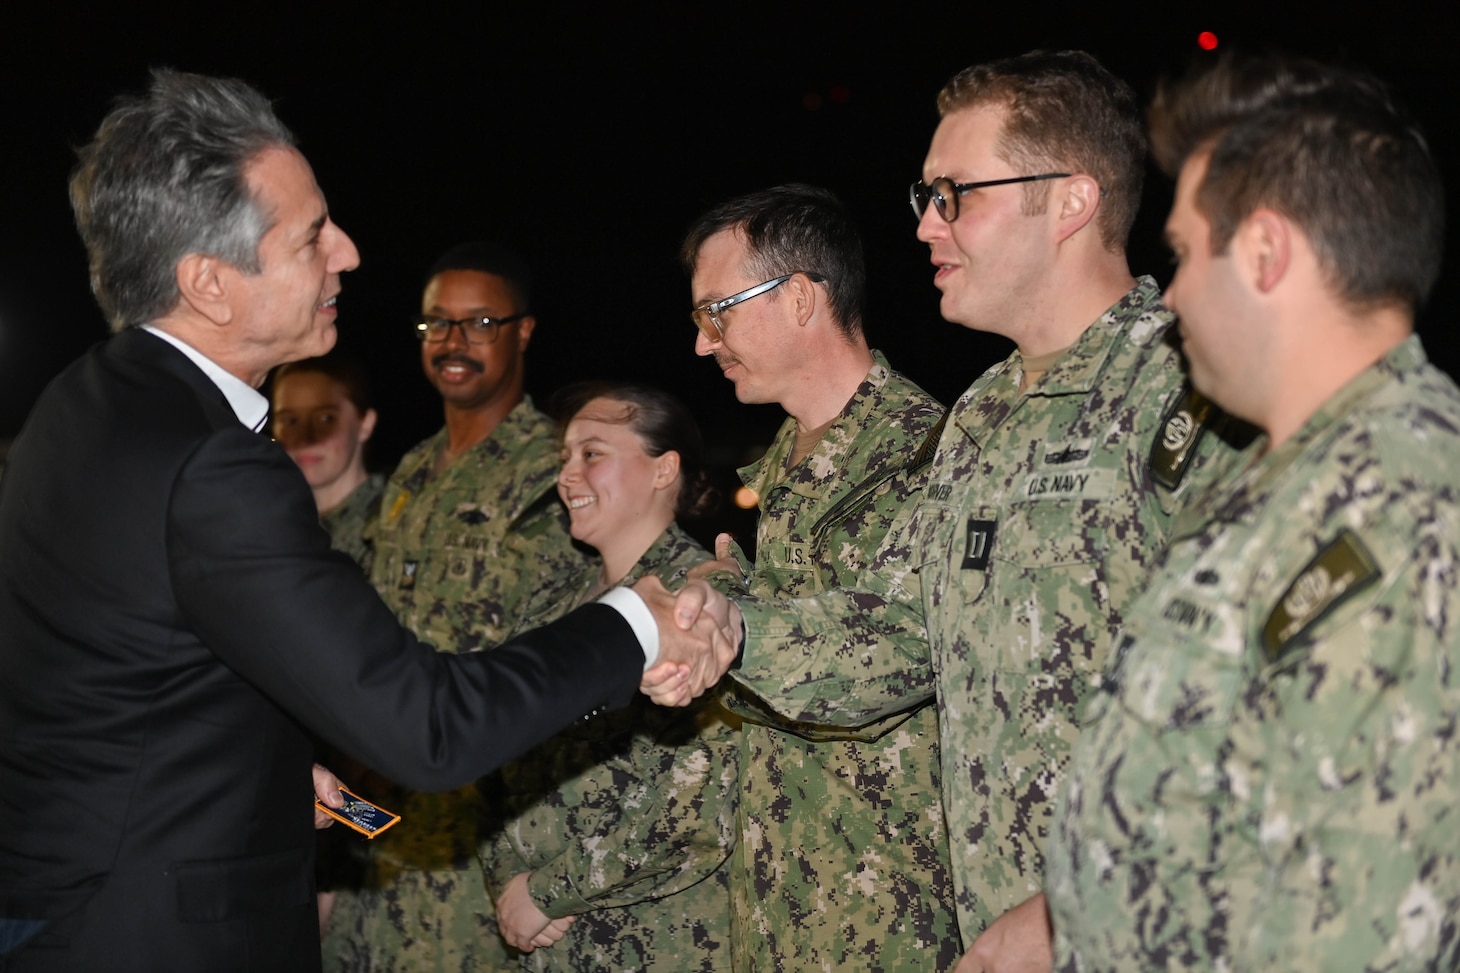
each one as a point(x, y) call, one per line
point(173, 623)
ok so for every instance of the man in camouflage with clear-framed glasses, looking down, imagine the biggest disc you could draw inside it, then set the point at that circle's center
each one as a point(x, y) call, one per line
point(843, 857)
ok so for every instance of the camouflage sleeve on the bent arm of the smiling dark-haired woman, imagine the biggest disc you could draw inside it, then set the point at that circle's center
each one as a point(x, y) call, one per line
point(650, 822)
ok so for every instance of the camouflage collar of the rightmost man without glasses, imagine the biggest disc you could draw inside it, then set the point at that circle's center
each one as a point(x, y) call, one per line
point(1259, 474)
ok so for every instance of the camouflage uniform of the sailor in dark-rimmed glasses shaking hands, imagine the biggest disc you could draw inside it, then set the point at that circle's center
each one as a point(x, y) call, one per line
point(1037, 525)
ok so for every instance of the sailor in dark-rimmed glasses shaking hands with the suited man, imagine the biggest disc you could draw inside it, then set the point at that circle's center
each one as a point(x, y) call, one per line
point(1050, 495)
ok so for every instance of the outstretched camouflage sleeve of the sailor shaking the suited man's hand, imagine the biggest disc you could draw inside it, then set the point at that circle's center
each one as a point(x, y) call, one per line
point(846, 657)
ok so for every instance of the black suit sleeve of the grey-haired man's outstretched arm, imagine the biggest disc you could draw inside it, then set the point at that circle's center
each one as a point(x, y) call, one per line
point(258, 582)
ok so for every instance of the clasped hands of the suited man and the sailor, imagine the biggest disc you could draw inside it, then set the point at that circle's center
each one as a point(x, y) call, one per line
point(699, 639)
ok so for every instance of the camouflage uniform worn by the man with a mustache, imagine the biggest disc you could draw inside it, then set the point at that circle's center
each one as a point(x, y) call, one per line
point(461, 557)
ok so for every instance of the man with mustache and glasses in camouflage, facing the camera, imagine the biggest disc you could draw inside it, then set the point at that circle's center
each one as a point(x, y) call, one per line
point(471, 528)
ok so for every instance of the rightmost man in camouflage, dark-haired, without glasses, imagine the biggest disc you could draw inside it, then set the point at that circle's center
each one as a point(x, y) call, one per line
point(1271, 778)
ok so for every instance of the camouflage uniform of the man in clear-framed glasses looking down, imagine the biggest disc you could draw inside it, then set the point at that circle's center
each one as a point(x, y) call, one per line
point(843, 857)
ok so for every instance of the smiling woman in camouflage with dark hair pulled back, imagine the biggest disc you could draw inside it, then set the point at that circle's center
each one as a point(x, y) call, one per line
point(624, 823)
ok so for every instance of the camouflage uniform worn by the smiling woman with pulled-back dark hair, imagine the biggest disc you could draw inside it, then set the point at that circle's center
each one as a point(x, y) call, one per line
point(627, 820)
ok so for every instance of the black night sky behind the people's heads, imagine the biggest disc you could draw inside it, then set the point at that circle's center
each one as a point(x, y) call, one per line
point(589, 137)
